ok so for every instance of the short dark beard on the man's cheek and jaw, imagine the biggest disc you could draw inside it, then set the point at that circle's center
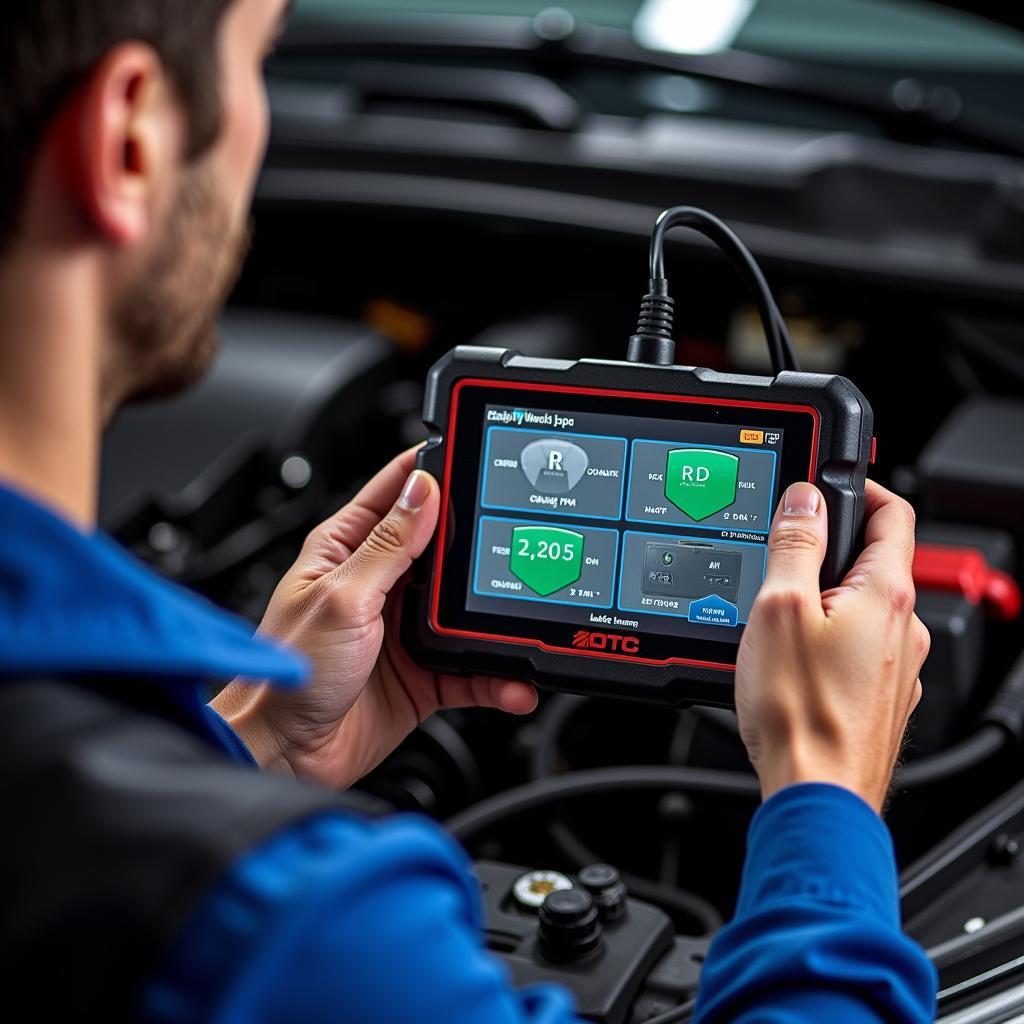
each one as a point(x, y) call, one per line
point(166, 325)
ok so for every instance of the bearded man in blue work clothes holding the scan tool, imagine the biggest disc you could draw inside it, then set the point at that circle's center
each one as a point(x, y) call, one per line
point(152, 873)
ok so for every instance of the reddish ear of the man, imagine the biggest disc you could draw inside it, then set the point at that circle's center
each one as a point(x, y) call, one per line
point(120, 142)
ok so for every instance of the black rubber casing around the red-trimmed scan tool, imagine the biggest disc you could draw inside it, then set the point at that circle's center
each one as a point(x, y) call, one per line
point(844, 451)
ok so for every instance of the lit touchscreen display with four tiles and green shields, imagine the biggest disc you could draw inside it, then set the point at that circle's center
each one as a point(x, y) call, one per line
point(647, 519)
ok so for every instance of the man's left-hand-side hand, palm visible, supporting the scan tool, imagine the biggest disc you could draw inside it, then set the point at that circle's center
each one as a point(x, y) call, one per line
point(339, 605)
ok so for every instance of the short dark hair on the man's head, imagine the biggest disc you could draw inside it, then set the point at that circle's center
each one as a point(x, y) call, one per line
point(50, 48)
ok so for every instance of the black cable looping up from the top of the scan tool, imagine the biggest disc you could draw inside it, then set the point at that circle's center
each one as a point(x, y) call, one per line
point(654, 340)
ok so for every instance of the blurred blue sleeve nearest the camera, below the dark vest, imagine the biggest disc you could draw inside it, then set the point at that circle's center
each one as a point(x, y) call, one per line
point(338, 920)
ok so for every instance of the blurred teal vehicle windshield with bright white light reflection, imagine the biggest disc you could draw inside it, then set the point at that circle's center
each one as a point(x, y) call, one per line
point(909, 33)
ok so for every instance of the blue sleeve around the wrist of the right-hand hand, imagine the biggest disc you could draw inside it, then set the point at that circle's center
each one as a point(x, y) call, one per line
point(817, 936)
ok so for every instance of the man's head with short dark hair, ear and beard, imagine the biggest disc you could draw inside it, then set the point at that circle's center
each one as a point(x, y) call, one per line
point(131, 136)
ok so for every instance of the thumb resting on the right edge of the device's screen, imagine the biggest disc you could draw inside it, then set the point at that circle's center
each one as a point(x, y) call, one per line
point(798, 540)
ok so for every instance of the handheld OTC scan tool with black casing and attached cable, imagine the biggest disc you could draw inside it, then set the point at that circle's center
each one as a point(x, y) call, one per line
point(605, 525)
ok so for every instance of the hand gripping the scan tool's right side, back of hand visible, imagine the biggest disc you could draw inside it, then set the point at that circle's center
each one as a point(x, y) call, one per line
point(826, 684)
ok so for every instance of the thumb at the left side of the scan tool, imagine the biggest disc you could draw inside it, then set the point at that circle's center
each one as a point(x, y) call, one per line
point(389, 551)
